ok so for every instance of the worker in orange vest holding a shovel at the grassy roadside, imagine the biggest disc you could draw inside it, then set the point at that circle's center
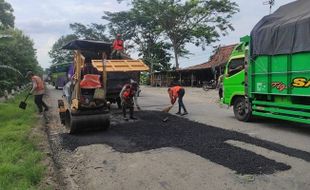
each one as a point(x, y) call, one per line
point(37, 90)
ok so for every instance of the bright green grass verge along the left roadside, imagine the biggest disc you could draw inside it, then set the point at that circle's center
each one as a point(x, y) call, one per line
point(20, 166)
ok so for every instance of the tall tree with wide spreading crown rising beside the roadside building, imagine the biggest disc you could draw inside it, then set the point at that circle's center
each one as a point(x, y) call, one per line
point(200, 22)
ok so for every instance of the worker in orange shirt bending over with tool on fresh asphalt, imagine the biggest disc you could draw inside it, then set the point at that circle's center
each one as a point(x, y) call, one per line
point(177, 92)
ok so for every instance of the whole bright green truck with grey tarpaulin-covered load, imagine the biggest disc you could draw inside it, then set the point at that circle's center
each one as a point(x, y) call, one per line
point(268, 73)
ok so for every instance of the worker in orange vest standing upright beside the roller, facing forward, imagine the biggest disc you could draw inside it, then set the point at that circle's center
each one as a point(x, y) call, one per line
point(127, 99)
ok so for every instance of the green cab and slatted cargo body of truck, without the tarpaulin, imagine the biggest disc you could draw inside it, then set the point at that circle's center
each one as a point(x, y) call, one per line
point(267, 86)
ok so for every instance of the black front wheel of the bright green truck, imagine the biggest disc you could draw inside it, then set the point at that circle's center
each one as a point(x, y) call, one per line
point(242, 109)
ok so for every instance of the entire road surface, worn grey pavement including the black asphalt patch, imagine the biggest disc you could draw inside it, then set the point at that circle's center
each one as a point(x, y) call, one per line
point(209, 149)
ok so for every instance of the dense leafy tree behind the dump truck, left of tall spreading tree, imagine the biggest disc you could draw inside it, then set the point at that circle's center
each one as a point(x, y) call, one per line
point(143, 31)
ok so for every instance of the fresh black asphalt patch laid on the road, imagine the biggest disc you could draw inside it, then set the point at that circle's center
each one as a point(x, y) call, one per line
point(150, 132)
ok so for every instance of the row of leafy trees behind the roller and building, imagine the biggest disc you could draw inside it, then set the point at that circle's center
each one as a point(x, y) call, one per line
point(158, 30)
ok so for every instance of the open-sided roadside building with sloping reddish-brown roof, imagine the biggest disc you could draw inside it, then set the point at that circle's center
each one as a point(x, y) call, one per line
point(197, 74)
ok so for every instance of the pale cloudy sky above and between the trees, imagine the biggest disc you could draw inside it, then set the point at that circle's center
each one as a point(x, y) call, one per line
point(45, 21)
